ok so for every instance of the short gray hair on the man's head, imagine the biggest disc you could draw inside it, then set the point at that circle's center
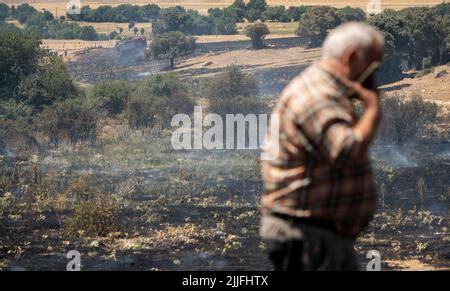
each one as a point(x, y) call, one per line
point(357, 35)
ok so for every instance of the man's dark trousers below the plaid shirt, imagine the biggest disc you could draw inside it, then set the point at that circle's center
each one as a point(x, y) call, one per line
point(302, 247)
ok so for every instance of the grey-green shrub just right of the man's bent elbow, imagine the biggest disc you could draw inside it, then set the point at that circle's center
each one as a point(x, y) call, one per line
point(404, 119)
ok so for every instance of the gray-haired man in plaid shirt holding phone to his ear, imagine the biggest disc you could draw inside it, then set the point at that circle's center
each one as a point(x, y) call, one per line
point(318, 186)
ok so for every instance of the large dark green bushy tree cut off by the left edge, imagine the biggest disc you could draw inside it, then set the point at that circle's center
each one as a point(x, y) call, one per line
point(31, 75)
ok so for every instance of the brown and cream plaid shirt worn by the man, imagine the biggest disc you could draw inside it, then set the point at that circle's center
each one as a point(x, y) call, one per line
point(314, 172)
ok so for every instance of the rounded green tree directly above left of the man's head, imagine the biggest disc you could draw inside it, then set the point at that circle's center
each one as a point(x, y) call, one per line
point(316, 22)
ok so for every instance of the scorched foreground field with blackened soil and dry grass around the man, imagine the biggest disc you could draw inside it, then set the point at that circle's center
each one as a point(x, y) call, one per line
point(167, 210)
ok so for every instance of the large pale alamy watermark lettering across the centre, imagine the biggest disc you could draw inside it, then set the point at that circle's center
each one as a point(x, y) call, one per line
point(235, 131)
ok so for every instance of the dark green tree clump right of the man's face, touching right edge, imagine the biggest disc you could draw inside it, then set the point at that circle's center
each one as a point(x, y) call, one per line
point(412, 35)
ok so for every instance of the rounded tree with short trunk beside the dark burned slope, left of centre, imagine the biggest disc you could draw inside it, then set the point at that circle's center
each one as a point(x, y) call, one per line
point(170, 46)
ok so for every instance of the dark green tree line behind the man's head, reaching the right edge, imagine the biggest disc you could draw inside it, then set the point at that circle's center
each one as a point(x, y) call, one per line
point(416, 38)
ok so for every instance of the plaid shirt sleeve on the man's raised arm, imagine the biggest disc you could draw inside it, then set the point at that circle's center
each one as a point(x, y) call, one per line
point(328, 128)
